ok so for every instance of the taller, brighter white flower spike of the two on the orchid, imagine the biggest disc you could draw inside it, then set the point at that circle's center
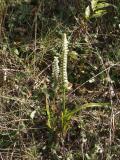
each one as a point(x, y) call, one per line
point(64, 62)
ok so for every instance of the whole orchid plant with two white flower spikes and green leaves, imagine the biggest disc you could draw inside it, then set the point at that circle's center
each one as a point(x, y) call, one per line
point(60, 122)
